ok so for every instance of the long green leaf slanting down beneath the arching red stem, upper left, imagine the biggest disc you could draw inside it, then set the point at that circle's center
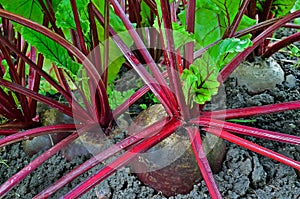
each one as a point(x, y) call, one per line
point(51, 50)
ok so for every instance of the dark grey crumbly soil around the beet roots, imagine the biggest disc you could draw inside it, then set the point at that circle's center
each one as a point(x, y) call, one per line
point(244, 174)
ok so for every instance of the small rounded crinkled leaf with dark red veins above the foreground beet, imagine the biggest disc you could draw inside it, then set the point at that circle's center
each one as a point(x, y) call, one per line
point(200, 81)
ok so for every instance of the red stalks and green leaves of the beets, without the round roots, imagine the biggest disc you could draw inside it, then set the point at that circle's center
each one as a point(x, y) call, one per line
point(63, 46)
